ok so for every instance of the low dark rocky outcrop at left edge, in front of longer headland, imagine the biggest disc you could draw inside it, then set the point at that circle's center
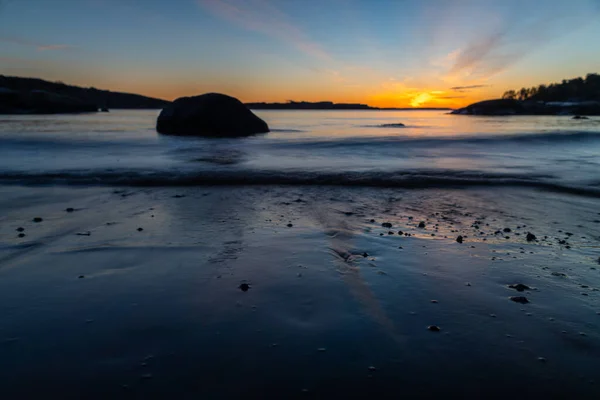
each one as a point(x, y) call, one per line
point(41, 102)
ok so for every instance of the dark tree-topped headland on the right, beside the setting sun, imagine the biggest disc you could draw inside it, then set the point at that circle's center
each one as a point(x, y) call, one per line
point(577, 97)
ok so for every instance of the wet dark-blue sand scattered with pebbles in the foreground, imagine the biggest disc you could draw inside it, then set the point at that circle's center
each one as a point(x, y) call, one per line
point(334, 304)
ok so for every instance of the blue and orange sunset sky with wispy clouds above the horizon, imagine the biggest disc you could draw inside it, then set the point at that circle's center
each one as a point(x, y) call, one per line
point(386, 53)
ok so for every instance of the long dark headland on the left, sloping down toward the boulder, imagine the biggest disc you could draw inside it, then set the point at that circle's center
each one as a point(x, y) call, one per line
point(37, 96)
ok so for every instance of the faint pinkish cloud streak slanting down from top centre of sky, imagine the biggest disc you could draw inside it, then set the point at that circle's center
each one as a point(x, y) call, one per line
point(260, 16)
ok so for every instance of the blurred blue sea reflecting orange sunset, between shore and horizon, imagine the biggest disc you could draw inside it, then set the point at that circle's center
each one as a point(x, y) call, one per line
point(308, 147)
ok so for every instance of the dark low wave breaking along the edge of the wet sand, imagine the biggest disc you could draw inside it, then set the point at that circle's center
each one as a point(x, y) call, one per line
point(404, 180)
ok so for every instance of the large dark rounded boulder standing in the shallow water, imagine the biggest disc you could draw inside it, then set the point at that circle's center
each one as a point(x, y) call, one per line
point(210, 114)
